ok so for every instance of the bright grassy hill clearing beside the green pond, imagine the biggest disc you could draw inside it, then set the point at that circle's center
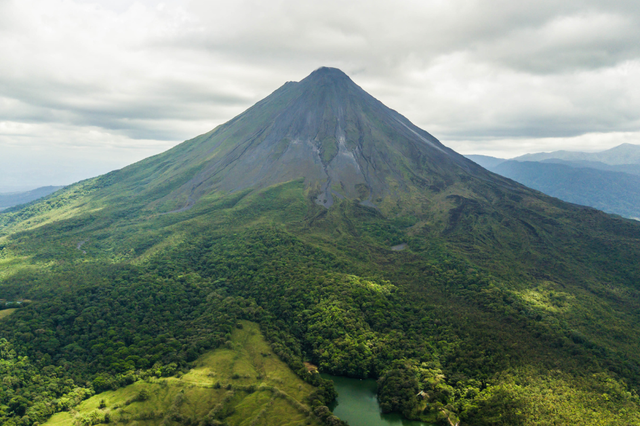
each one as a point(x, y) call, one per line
point(243, 384)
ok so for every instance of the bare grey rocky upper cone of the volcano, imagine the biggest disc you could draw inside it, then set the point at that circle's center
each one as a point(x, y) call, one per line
point(329, 132)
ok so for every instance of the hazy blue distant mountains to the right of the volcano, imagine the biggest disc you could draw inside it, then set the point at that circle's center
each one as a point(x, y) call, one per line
point(607, 180)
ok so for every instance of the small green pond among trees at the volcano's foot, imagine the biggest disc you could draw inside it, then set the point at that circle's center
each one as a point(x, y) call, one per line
point(358, 404)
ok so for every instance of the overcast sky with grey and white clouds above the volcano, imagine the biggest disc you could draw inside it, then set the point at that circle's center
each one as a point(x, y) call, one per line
point(88, 86)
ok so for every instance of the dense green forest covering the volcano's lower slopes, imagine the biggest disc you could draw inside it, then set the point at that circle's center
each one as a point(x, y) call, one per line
point(118, 293)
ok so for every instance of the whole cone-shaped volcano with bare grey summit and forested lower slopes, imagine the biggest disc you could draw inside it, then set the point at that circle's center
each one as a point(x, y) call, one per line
point(505, 306)
